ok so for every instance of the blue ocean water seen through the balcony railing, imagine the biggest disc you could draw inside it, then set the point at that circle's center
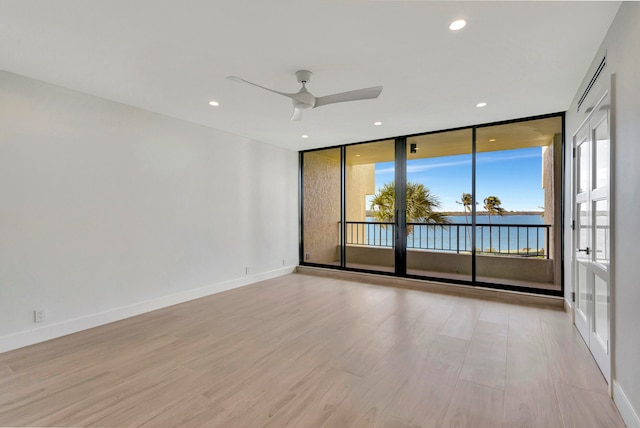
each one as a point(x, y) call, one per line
point(506, 234)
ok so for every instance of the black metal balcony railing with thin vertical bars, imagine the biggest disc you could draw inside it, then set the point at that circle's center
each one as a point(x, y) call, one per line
point(524, 240)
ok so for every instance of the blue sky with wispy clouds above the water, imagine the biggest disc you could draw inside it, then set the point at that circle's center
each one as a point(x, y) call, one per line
point(514, 176)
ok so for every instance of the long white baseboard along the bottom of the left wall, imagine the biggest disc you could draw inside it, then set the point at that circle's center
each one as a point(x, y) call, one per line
point(30, 337)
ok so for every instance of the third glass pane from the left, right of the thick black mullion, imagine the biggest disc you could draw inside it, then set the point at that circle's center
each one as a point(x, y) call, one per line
point(439, 205)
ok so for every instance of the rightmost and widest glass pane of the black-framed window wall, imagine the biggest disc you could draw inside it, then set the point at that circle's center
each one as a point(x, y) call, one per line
point(516, 188)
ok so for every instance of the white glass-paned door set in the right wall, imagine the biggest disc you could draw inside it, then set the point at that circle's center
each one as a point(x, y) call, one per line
point(591, 233)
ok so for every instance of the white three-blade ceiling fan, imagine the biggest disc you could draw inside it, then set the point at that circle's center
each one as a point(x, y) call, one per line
point(304, 100)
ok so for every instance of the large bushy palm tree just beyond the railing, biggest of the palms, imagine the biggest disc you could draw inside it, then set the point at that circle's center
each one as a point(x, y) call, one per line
point(421, 205)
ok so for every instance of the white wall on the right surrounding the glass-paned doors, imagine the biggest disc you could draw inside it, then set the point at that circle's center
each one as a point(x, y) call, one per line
point(623, 59)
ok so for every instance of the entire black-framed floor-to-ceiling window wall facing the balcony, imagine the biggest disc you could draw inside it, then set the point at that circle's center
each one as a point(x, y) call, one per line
point(479, 205)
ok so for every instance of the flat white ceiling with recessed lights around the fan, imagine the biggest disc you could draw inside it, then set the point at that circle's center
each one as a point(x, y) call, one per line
point(172, 57)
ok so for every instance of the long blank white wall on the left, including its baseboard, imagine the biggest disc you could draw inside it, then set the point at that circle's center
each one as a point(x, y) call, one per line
point(107, 211)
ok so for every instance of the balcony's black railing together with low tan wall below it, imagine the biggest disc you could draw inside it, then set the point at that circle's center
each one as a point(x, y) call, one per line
point(517, 253)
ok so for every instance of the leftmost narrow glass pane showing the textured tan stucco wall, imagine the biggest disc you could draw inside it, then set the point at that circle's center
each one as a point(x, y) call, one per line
point(321, 207)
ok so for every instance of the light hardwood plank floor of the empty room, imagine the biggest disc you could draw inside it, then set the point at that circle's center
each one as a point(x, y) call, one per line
point(307, 351)
